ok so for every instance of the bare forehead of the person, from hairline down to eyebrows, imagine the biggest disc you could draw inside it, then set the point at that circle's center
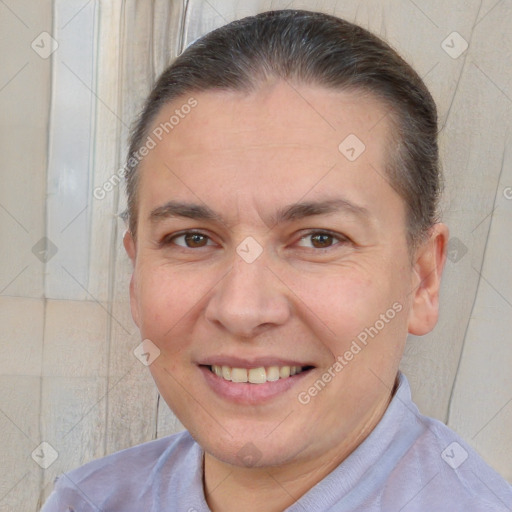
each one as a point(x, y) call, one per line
point(275, 144)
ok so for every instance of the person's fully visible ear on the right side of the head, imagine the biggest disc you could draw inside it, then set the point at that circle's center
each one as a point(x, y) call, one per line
point(428, 264)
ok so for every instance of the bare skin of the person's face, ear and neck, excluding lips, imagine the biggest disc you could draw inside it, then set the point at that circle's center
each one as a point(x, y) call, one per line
point(246, 156)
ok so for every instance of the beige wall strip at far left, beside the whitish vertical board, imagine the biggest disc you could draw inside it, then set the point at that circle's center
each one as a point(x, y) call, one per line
point(24, 106)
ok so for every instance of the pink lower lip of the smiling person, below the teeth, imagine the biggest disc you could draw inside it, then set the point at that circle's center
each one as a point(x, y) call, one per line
point(247, 393)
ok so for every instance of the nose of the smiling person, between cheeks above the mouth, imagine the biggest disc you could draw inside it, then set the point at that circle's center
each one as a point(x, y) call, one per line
point(249, 300)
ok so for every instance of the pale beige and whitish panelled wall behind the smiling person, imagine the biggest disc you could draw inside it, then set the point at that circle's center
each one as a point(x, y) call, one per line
point(73, 77)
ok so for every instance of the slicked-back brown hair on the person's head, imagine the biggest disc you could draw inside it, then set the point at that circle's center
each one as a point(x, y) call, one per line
point(317, 49)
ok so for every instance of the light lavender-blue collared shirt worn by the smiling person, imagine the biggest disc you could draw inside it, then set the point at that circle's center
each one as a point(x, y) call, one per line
point(409, 463)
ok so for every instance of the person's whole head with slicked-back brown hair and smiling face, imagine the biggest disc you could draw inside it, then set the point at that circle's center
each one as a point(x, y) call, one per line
point(288, 214)
